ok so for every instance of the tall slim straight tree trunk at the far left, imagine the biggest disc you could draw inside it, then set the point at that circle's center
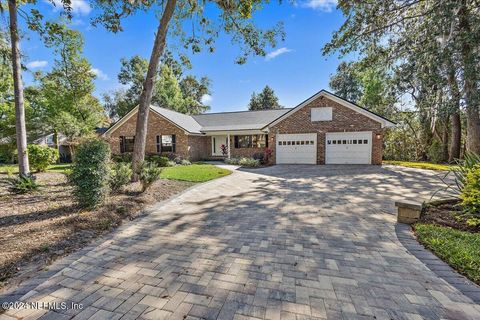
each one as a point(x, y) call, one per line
point(21, 130)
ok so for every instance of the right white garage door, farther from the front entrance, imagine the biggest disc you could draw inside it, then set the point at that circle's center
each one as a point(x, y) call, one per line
point(348, 148)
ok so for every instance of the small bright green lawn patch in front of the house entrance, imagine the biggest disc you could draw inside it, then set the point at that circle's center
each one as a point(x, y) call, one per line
point(194, 172)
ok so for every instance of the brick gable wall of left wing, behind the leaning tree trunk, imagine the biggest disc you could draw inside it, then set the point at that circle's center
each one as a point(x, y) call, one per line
point(156, 126)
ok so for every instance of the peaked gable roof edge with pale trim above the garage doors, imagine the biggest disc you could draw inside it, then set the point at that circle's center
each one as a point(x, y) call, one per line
point(382, 120)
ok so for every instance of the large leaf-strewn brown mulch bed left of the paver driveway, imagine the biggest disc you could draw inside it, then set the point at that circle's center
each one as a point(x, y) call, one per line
point(37, 228)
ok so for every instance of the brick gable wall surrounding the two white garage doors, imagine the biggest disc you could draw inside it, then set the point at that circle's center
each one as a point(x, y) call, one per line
point(344, 120)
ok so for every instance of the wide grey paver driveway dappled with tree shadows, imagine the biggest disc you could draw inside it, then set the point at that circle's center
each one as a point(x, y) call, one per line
point(289, 242)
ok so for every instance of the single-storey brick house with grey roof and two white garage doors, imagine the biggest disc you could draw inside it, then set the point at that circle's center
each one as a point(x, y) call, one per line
point(324, 129)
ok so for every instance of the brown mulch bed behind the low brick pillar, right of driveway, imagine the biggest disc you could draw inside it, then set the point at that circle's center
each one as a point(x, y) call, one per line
point(448, 214)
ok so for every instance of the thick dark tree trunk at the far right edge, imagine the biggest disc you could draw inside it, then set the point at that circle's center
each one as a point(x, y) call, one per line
point(470, 81)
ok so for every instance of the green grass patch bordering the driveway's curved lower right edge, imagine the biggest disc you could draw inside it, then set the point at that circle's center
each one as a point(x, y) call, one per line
point(460, 249)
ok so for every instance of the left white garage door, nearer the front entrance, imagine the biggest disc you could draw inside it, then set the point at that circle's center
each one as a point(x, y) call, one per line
point(297, 148)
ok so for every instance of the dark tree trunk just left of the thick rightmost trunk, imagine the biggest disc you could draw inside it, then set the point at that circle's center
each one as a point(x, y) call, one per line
point(456, 124)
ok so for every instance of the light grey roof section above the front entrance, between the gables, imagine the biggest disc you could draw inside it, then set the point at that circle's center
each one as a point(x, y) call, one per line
point(223, 121)
